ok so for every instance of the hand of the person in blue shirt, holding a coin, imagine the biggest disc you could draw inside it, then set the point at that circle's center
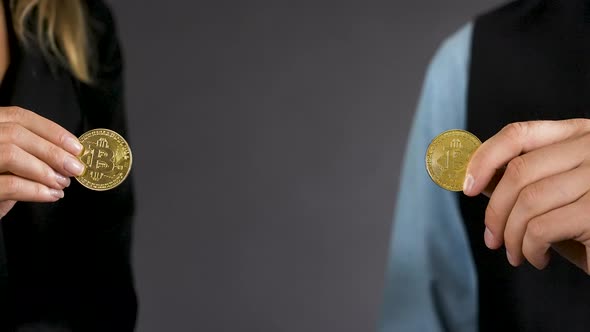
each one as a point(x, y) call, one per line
point(543, 198)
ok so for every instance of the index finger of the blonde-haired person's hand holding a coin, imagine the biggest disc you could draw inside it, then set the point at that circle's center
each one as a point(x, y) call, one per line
point(43, 127)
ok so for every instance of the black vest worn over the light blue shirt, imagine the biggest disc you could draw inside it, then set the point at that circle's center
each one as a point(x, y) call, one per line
point(530, 60)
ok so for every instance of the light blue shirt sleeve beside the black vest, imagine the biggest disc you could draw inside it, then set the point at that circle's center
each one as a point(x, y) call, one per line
point(431, 281)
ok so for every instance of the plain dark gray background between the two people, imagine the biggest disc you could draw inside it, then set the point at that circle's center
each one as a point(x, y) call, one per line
point(267, 137)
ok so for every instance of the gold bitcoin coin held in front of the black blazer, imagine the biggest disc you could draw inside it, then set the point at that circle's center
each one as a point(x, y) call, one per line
point(107, 158)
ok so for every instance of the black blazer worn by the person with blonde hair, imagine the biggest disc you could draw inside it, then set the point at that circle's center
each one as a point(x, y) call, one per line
point(66, 265)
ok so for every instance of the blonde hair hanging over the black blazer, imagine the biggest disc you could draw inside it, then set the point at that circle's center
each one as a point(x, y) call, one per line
point(60, 31)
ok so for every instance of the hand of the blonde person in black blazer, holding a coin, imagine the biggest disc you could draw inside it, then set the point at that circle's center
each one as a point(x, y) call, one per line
point(37, 158)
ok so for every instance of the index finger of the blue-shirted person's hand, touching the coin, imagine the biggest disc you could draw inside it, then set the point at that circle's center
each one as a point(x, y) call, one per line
point(513, 140)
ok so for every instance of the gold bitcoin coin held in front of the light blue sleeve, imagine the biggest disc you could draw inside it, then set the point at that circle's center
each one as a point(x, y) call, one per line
point(447, 157)
